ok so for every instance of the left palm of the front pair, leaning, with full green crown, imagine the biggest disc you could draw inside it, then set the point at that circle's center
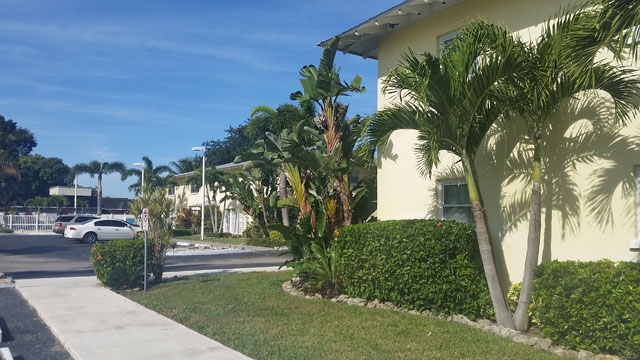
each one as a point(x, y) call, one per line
point(452, 102)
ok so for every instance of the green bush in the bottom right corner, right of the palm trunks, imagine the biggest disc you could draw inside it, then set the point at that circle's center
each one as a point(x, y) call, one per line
point(593, 306)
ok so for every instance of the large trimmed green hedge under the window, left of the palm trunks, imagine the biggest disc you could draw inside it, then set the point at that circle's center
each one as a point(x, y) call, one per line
point(417, 264)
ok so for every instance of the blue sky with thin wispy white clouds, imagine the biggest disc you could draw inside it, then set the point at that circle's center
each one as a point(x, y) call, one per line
point(118, 80)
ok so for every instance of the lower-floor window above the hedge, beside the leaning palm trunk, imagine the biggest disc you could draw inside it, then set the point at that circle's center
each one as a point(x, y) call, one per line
point(454, 201)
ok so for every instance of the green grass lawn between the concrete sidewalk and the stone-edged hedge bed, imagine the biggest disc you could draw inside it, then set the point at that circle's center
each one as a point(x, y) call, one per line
point(250, 313)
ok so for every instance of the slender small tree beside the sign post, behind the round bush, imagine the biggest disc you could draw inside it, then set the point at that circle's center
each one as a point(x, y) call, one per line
point(160, 207)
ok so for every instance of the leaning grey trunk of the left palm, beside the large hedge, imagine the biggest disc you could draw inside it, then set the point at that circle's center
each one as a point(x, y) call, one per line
point(503, 315)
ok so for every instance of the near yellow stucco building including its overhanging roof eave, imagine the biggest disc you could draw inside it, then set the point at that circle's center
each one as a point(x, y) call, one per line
point(578, 220)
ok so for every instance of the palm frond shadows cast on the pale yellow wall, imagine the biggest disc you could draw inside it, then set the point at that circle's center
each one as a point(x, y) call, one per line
point(579, 135)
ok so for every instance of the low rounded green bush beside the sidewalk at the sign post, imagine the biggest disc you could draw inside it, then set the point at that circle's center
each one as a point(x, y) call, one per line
point(119, 264)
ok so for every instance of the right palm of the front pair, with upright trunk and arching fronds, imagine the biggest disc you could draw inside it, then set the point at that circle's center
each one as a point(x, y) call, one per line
point(552, 77)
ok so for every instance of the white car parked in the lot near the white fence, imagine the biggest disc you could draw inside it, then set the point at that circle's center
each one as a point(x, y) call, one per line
point(100, 230)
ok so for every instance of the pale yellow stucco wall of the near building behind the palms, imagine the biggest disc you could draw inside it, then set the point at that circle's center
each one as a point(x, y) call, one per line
point(403, 194)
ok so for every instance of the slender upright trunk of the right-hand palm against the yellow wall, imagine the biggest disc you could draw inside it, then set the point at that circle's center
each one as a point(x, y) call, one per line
point(521, 315)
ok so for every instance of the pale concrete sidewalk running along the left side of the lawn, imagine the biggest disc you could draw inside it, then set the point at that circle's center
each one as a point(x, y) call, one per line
point(93, 322)
